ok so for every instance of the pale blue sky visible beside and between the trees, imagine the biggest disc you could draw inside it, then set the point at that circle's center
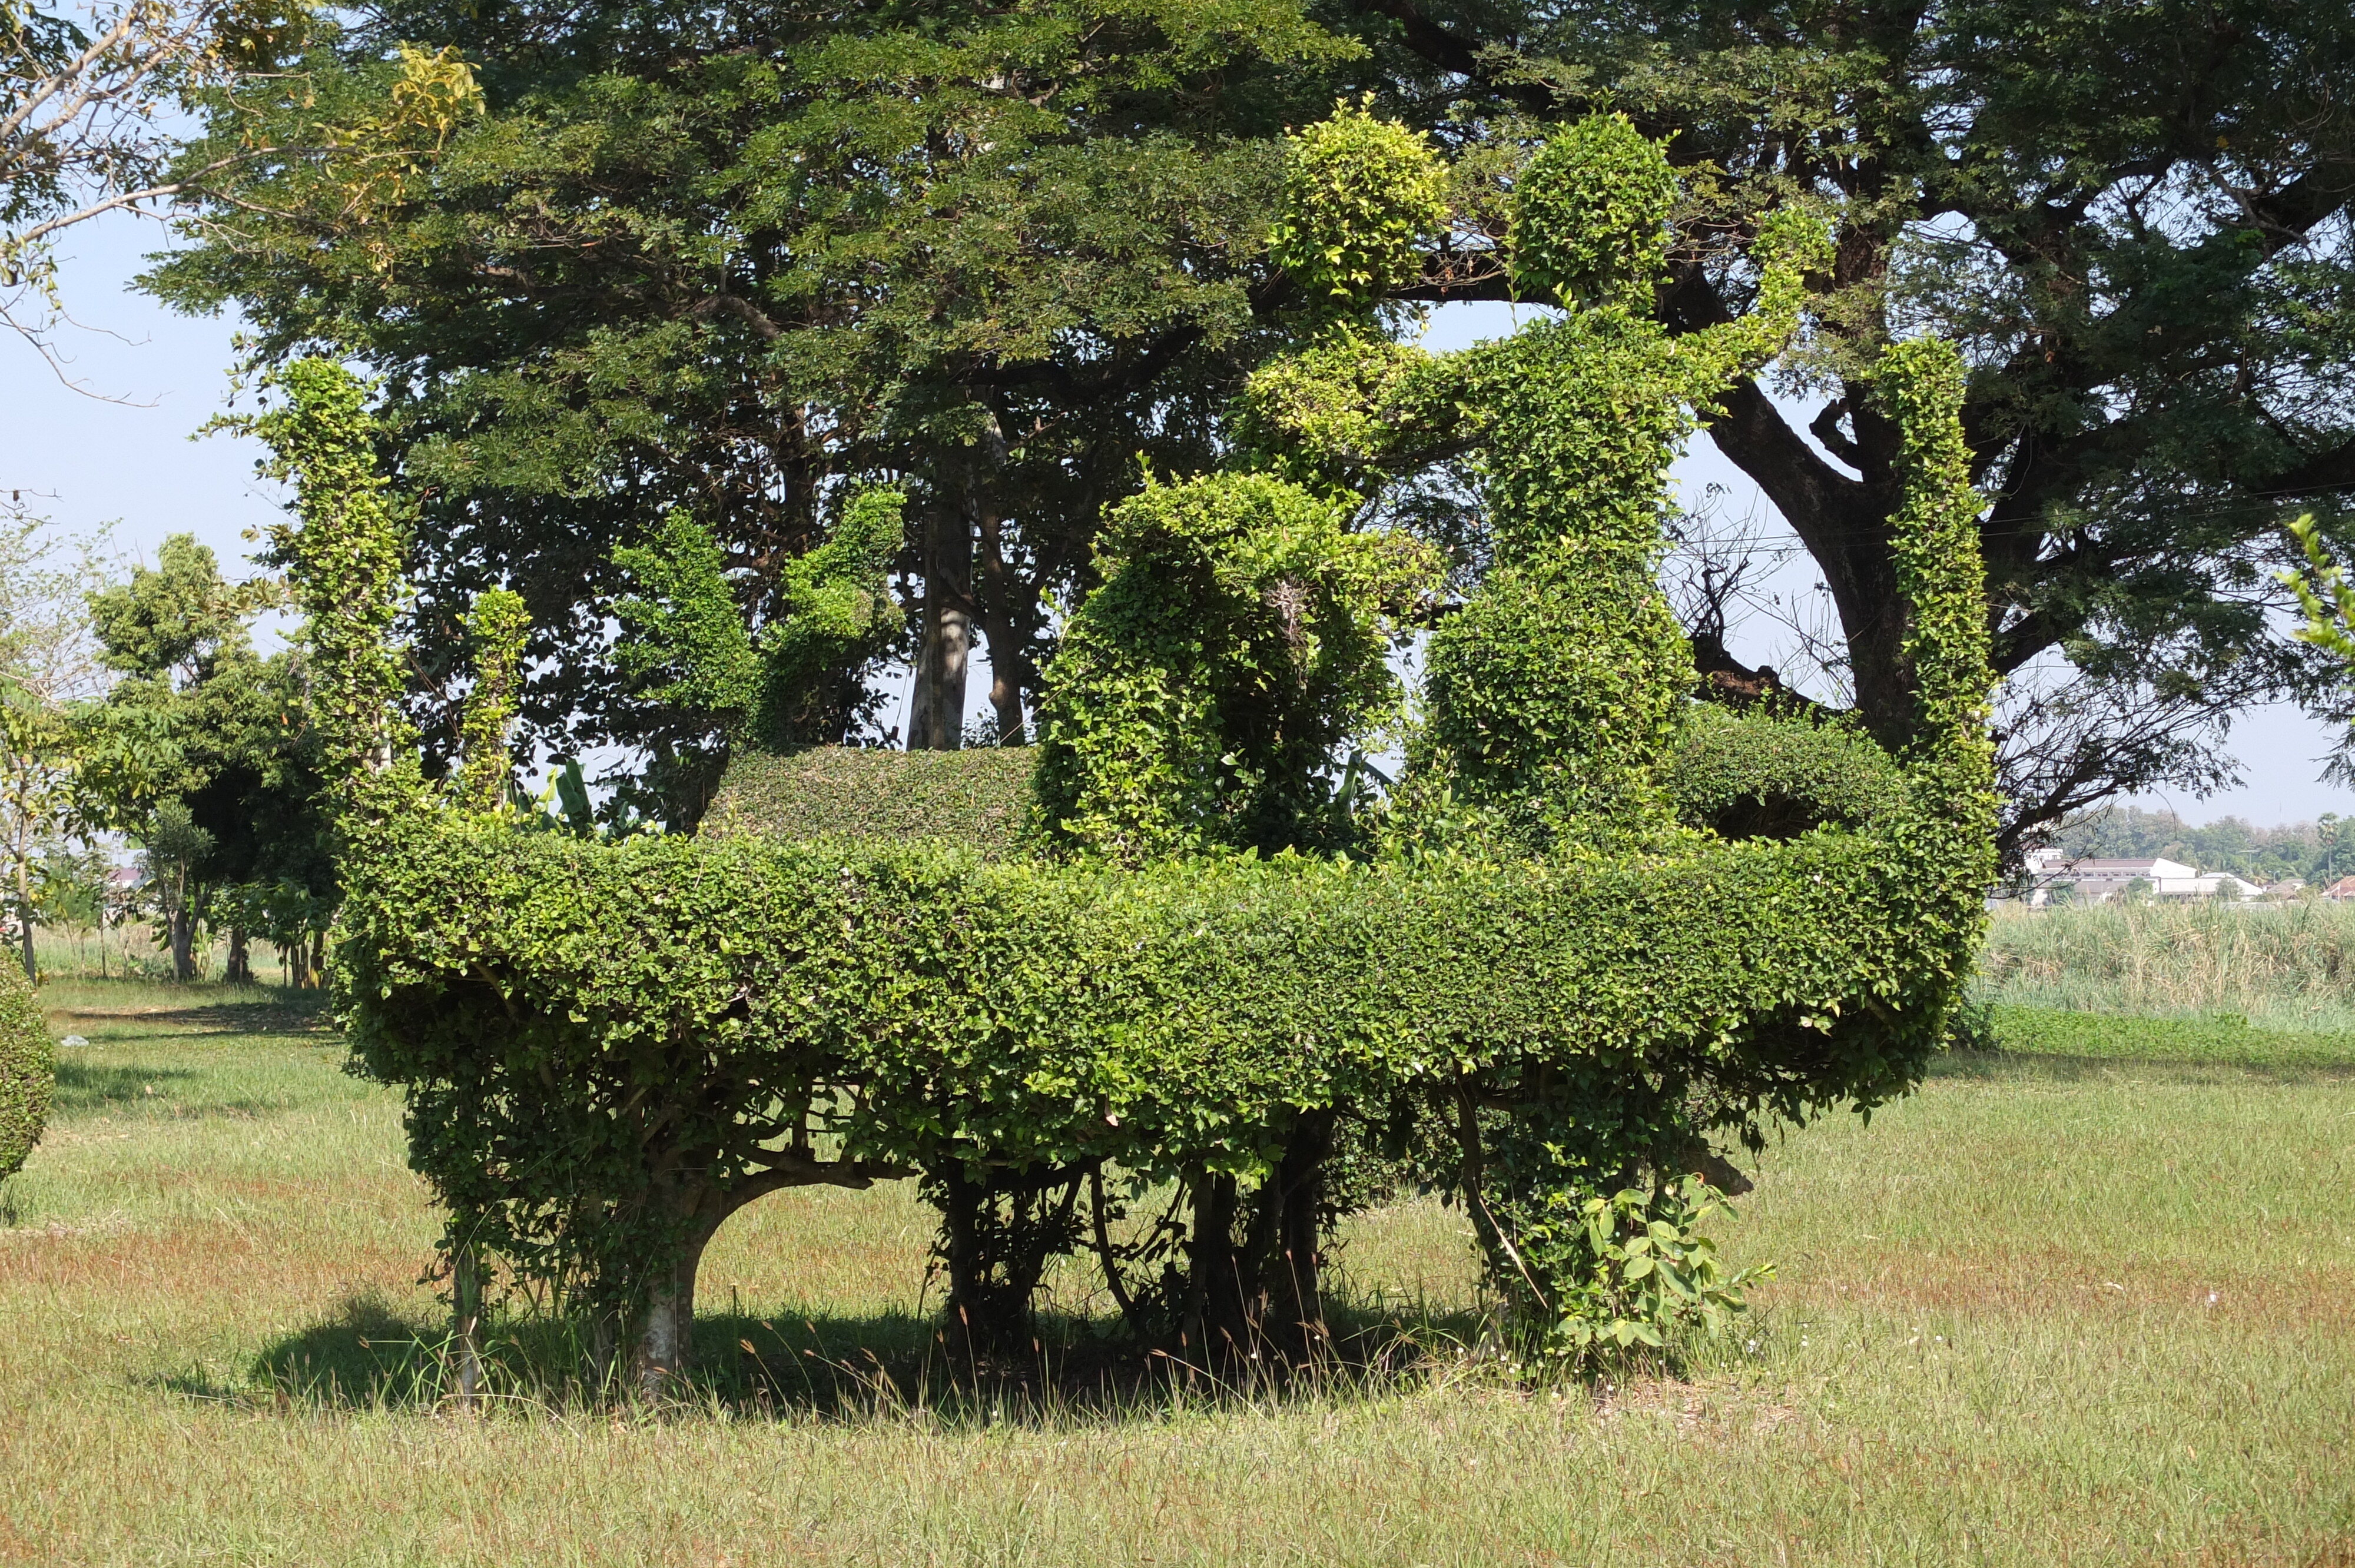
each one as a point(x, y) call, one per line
point(126, 458)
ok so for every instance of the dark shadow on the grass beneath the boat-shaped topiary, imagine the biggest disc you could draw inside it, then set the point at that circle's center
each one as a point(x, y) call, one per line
point(376, 1357)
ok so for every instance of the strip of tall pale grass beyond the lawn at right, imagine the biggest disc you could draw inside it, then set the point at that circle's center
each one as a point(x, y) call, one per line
point(2283, 966)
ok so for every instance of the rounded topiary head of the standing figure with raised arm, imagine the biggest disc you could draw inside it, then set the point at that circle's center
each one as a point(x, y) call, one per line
point(1591, 215)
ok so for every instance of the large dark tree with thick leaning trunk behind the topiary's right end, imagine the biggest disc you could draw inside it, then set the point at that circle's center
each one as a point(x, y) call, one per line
point(2135, 220)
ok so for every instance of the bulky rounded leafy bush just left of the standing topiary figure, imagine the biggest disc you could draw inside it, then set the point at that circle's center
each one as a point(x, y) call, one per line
point(1238, 642)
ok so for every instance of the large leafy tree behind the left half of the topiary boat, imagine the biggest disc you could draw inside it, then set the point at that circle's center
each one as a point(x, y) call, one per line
point(734, 260)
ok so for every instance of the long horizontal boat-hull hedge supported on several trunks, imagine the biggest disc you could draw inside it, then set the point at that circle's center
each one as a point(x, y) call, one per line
point(712, 1006)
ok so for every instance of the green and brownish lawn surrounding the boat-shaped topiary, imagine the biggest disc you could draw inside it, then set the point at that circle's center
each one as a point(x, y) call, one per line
point(2088, 1301)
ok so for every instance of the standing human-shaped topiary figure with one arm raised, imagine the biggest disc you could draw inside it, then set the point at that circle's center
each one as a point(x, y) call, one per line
point(1558, 689)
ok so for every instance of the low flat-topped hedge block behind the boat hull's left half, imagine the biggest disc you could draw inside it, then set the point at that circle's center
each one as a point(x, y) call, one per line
point(976, 799)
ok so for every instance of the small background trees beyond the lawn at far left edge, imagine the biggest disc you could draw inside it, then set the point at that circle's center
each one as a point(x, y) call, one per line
point(145, 726)
